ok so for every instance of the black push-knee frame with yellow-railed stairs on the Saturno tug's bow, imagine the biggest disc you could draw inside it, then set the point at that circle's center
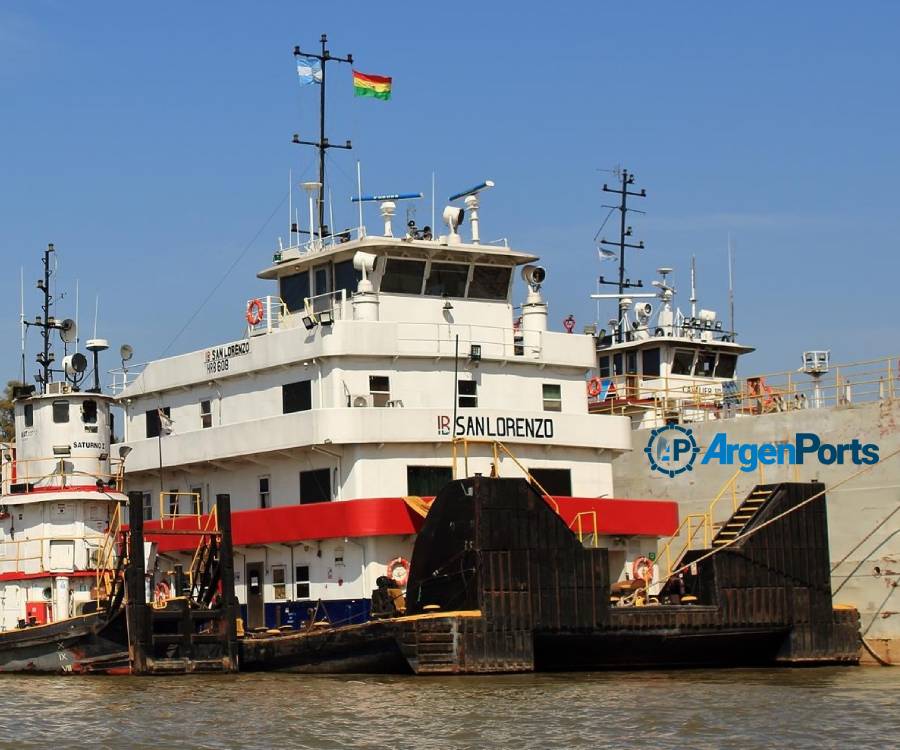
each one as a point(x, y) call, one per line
point(195, 629)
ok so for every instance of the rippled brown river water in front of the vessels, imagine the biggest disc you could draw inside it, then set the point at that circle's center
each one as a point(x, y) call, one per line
point(848, 708)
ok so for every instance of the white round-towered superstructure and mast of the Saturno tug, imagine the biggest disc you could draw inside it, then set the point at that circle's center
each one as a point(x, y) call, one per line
point(61, 488)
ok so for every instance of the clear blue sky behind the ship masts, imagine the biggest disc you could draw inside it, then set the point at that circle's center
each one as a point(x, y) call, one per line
point(151, 143)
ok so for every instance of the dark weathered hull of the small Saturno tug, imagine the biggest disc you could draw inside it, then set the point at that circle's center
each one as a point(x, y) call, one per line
point(88, 644)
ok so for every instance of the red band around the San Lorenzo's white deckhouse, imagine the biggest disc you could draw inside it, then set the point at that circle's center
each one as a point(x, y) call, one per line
point(392, 516)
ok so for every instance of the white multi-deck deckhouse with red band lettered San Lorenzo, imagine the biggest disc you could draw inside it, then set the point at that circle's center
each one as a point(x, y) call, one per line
point(338, 411)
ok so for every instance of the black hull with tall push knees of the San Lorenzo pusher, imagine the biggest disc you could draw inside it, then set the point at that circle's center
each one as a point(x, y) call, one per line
point(499, 584)
